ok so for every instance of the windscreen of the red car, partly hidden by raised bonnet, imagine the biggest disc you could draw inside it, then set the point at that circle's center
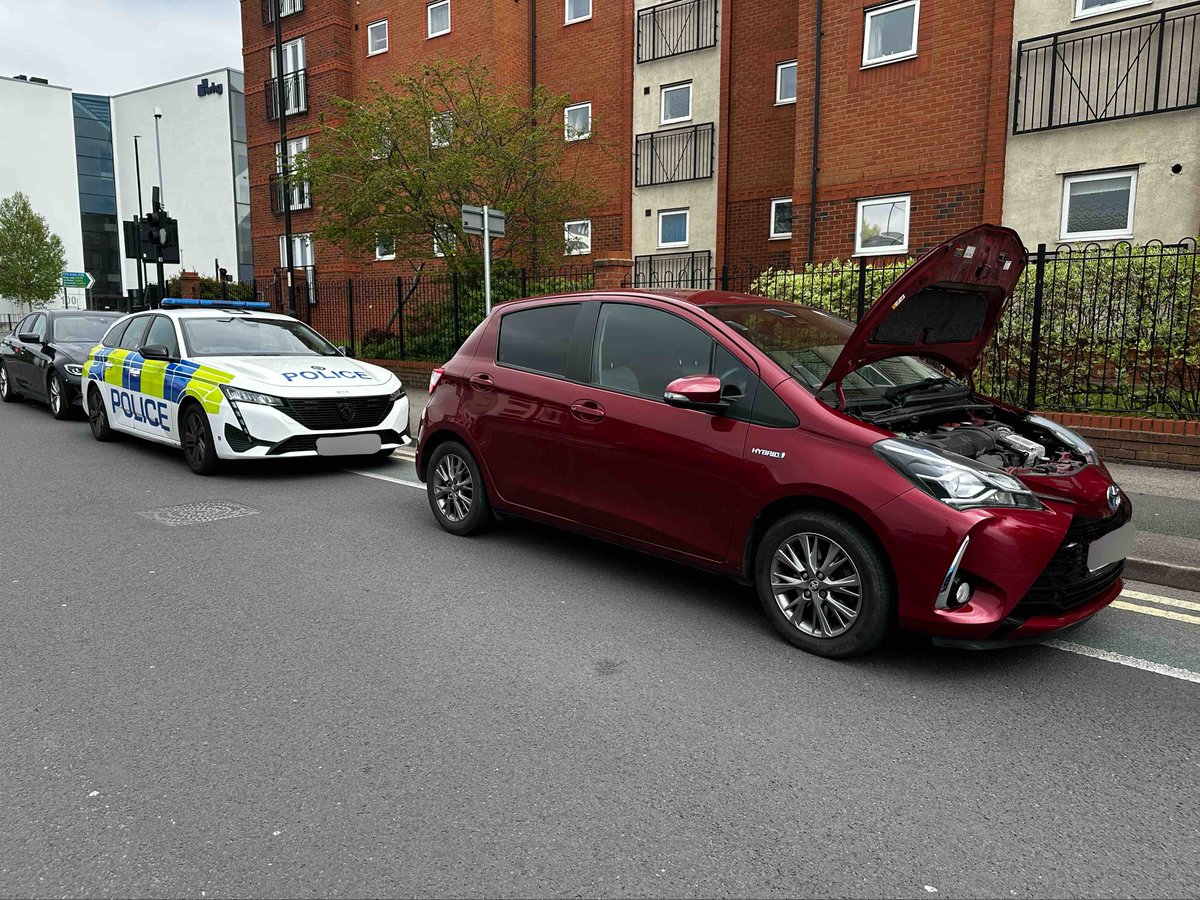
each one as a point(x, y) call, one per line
point(807, 343)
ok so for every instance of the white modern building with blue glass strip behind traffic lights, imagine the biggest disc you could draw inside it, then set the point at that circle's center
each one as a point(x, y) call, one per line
point(74, 157)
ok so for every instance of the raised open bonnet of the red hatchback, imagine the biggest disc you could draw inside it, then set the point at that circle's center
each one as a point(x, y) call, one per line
point(944, 309)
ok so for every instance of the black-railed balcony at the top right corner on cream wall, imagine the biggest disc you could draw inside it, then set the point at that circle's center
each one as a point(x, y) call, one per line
point(1139, 65)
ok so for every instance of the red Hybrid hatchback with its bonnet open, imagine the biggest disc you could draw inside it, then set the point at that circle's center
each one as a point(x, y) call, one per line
point(854, 484)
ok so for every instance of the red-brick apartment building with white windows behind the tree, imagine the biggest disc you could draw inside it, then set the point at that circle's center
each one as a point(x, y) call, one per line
point(723, 105)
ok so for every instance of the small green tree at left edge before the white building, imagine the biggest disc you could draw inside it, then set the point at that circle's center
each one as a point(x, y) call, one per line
point(32, 259)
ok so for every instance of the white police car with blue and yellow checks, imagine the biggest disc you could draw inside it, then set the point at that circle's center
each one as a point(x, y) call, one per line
point(230, 381)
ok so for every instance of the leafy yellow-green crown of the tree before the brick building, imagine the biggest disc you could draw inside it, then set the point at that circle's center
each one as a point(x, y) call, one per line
point(399, 167)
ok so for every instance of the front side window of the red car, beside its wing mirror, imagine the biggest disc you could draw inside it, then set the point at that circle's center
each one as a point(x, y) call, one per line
point(639, 350)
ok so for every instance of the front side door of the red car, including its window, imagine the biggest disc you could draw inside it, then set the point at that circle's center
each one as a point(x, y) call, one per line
point(646, 470)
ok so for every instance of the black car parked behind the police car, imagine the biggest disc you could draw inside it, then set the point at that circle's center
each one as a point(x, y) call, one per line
point(44, 358)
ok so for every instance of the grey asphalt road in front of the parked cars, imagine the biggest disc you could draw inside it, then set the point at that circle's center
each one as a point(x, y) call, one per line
point(333, 698)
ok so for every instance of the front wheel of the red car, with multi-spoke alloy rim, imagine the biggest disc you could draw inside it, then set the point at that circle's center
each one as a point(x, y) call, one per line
point(825, 585)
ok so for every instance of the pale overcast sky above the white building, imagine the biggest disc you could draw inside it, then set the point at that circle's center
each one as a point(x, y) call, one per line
point(117, 46)
